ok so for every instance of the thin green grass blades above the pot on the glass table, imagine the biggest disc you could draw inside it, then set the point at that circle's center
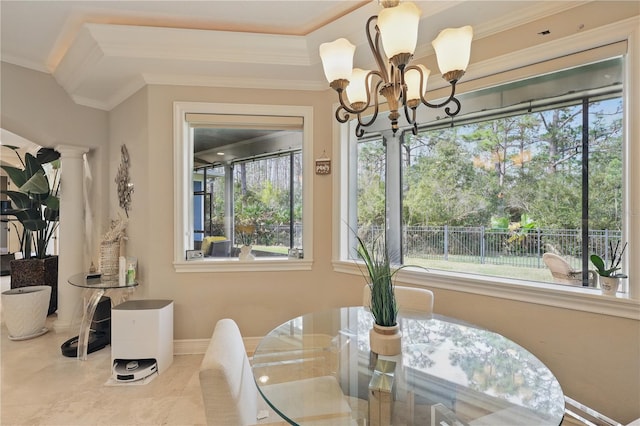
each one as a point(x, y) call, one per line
point(384, 307)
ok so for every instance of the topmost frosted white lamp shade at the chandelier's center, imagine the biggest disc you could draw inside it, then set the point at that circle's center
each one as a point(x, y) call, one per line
point(399, 28)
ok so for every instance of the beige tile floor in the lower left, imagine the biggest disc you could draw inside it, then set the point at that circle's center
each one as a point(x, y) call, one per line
point(42, 387)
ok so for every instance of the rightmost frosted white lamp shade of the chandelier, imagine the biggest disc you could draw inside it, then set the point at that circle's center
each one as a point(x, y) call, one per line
point(453, 48)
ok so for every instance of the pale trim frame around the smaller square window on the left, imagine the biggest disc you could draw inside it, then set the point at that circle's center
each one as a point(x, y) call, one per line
point(183, 193)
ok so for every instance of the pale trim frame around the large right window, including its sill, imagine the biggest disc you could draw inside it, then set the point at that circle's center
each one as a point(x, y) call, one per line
point(568, 297)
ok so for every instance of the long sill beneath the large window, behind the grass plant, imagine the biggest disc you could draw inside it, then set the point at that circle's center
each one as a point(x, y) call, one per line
point(560, 296)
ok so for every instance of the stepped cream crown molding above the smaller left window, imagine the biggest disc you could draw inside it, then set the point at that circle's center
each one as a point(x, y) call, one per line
point(100, 47)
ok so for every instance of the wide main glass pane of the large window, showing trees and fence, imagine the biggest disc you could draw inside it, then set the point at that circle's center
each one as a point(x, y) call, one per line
point(492, 197)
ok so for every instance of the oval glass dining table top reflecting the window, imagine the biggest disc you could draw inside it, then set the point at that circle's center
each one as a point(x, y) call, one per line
point(450, 373)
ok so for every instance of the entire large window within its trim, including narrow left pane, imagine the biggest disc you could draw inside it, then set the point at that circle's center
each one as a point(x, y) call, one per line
point(492, 191)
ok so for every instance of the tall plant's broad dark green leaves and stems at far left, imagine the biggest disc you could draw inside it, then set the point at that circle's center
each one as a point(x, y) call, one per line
point(35, 201)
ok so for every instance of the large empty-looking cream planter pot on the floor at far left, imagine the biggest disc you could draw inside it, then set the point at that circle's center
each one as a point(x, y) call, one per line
point(25, 311)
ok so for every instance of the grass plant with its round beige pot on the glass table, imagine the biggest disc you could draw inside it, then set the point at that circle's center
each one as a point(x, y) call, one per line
point(384, 337)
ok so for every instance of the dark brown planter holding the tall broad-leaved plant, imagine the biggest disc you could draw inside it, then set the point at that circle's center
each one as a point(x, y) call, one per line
point(36, 272)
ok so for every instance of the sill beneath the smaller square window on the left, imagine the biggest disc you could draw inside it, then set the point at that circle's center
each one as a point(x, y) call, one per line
point(234, 265)
